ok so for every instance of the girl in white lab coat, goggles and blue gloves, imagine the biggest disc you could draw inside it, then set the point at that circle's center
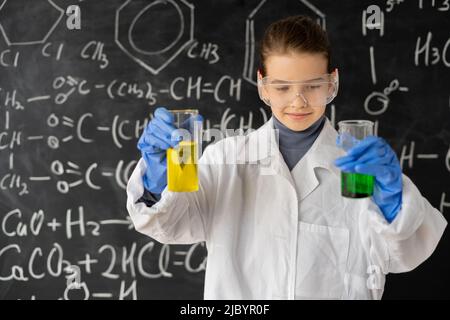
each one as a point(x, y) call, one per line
point(273, 219)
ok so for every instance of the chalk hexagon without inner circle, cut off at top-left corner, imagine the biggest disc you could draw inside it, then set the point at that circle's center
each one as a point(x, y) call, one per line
point(25, 22)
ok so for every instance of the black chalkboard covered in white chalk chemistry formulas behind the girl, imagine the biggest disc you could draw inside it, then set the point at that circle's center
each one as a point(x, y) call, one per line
point(73, 103)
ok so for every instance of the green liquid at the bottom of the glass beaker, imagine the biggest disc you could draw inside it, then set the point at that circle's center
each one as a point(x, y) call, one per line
point(356, 185)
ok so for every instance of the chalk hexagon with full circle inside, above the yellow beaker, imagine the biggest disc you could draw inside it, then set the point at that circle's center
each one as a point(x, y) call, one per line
point(154, 33)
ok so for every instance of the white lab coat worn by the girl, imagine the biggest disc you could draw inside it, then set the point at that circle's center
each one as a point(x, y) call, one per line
point(275, 234)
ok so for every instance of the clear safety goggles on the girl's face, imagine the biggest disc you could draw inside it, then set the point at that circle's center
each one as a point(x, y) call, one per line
point(317, 92)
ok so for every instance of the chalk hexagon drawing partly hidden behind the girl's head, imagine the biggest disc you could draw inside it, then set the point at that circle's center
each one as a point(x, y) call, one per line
point(268, 11)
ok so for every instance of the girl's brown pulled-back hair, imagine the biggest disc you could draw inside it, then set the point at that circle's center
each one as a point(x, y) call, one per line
point(298, 33)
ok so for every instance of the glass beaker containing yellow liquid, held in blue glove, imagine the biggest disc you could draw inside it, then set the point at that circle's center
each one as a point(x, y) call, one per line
point(182, 170)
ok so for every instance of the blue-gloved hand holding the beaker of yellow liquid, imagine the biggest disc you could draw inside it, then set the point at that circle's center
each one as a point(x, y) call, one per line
point(153, 143)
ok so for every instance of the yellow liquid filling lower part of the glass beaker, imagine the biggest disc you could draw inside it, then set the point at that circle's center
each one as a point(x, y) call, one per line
point(182, 167)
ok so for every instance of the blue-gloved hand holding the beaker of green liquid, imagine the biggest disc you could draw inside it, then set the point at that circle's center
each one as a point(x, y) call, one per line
point(374, 156)
